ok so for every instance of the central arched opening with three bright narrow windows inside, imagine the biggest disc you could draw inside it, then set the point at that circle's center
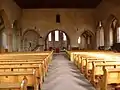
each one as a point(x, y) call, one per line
point(57, 39)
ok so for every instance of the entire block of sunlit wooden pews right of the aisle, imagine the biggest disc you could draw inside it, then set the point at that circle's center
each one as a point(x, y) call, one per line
point(101, 68)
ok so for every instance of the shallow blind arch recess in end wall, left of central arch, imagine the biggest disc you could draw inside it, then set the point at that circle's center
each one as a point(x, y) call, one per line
point(30, 39)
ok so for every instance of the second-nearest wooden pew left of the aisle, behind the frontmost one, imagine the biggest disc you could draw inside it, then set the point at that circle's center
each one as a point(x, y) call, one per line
point(16, 77)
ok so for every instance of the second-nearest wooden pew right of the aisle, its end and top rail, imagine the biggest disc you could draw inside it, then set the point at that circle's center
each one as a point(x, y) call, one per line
point(98, 70)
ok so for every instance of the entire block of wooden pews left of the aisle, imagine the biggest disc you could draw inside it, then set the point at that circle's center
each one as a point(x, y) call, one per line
point(24, 70)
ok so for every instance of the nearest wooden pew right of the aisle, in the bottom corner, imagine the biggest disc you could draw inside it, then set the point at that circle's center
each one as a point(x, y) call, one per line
point(110, 77)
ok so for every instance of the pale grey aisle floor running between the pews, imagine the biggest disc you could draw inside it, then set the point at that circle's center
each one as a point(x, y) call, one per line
point(63, 75)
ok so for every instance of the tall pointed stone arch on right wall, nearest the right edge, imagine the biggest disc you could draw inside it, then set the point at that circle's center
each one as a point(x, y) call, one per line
point(107, 30)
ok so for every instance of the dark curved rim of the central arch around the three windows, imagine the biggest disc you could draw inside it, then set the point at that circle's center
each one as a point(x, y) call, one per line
point(68, 38)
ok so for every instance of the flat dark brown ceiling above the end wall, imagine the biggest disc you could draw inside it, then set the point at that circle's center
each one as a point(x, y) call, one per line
point(34, 4)
